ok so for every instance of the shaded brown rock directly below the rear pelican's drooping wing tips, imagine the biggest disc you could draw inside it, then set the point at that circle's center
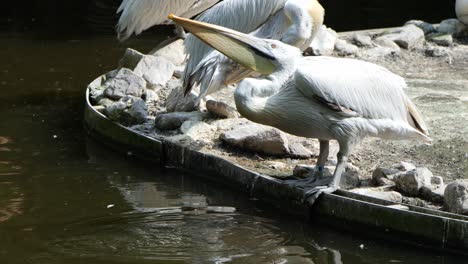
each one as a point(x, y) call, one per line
point(178, 102)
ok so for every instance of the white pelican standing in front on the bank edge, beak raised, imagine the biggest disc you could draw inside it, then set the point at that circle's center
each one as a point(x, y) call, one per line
point(316, 97)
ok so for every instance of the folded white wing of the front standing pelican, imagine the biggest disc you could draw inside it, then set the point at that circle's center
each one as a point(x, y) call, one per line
point(354, 87)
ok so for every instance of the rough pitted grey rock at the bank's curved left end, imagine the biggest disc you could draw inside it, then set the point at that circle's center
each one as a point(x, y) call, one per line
point(124, 83)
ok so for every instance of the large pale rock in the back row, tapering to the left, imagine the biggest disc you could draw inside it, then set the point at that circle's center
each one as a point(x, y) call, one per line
point(408, 37)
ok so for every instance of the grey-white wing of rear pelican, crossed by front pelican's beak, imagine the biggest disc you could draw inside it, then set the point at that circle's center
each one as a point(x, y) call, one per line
point(241, 15)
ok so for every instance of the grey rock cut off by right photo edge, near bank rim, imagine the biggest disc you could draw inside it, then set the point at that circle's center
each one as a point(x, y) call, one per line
point(456, 197)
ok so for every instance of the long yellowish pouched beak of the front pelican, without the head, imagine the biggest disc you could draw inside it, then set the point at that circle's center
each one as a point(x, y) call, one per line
point(251, 52)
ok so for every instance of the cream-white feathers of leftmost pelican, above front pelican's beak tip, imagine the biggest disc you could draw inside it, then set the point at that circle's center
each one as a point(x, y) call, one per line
point(138, 15)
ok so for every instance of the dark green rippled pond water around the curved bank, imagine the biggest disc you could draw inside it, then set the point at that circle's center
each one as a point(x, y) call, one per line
point(56, 184)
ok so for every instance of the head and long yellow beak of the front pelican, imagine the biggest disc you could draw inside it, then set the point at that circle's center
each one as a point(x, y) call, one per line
point(261, 55)
